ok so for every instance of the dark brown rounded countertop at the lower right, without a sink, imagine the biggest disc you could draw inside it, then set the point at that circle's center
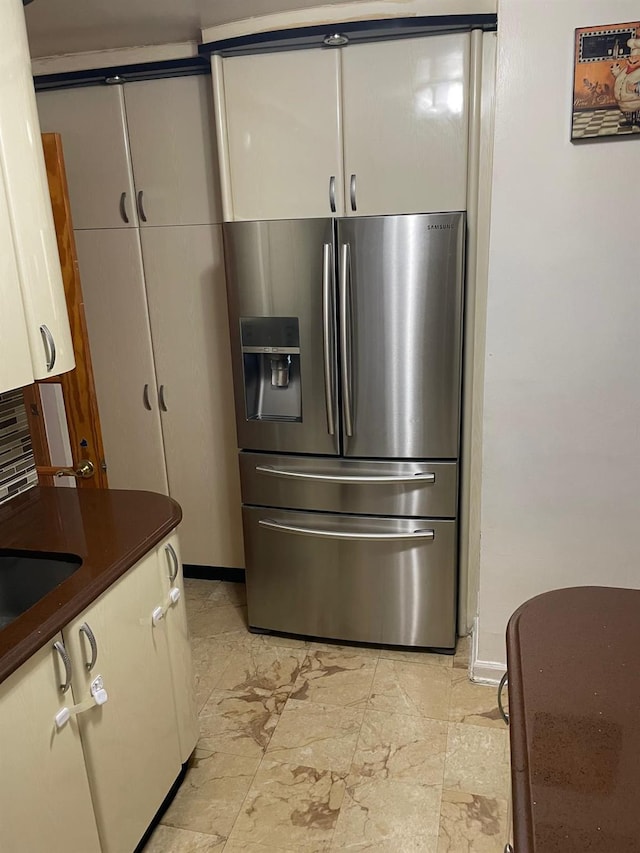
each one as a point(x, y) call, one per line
point(574, 702)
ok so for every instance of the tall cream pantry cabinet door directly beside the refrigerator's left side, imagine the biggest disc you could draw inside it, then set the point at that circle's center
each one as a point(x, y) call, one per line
point(184, 270)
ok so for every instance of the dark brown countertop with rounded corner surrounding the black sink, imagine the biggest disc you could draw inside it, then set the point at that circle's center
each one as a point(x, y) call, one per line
point(109, 529)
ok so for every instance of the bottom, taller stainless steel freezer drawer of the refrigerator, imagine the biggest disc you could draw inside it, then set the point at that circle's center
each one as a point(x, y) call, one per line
point(373, 580)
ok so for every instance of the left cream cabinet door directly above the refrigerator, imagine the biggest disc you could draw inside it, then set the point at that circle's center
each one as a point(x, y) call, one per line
point(283, 126)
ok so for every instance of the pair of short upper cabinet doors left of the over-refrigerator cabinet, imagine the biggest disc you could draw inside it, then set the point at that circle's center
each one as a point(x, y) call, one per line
point(137, 154)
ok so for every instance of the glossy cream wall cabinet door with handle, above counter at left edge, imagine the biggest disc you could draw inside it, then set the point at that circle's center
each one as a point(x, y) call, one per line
point(27, 194)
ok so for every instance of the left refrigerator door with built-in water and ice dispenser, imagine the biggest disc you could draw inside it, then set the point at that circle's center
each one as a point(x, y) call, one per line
point(281, 290)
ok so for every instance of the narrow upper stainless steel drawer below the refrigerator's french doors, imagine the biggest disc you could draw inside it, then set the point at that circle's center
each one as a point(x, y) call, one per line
point(367, 487)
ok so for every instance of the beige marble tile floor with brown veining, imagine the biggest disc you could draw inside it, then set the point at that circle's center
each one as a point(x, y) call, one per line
point(312, 747)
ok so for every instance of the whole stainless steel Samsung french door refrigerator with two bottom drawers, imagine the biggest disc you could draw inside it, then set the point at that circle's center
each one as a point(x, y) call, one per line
point(346, 340)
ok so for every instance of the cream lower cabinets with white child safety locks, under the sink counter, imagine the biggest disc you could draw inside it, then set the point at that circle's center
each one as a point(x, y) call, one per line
point(96, 782)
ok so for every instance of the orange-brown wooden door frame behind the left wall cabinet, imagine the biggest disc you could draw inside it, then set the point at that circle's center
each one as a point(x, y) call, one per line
point(78, 386)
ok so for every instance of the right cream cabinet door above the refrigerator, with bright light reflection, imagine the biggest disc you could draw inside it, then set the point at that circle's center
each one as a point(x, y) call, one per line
point(405, 125)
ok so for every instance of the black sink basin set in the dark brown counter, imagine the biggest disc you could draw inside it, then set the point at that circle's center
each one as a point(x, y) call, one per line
point(27, 576)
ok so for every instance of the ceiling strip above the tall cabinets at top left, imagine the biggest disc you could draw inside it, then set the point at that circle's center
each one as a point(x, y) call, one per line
point(70, 26)
